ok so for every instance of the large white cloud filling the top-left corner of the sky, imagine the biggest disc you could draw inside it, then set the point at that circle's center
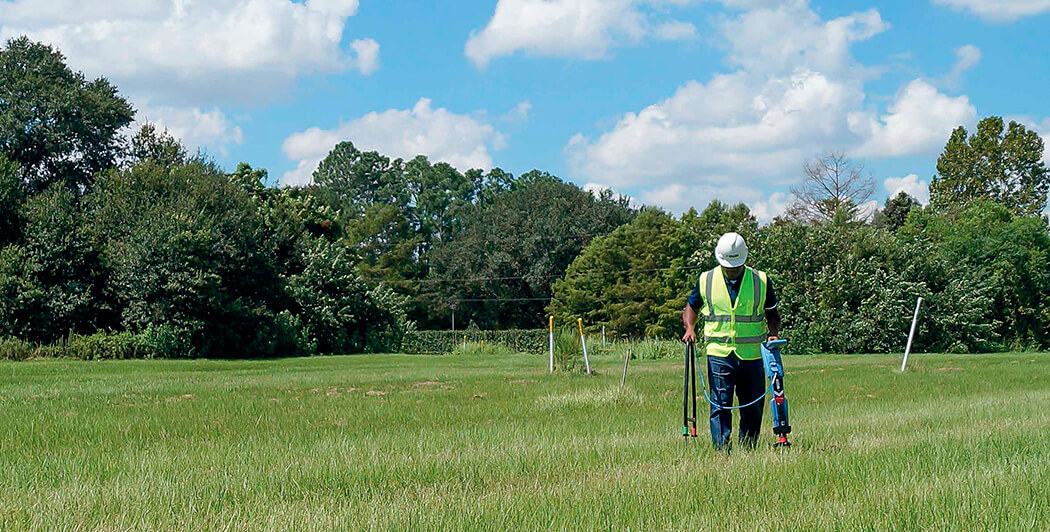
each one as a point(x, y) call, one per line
point(192, 53)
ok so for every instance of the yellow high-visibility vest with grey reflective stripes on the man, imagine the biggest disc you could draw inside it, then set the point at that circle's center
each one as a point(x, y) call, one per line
point(738, 328)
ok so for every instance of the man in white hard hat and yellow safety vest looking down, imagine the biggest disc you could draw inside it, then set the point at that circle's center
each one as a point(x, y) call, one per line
point(740, 311)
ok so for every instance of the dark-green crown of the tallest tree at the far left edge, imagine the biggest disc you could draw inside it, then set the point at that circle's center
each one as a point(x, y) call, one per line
point(58, 126)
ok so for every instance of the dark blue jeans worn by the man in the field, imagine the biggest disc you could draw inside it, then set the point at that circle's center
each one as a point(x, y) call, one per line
point(748, 379)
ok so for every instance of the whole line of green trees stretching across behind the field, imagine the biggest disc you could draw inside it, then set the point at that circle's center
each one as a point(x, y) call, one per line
point(107, 235)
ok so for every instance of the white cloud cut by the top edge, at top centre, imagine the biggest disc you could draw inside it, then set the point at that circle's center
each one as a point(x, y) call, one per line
point(571, 29)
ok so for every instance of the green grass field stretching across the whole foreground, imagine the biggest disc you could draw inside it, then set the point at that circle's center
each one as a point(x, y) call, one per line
point(480, 443)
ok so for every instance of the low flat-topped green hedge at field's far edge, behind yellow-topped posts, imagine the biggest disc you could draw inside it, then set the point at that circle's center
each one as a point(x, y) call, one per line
point(439, 343)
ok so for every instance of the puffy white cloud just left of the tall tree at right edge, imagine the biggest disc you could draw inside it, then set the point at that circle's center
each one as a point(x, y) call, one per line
point(920, 121)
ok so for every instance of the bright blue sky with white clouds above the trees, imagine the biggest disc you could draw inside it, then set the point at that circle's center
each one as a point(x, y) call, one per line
point(673, 102)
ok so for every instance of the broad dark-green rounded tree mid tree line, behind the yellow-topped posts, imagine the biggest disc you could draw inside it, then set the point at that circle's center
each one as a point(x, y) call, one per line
point(515, 245)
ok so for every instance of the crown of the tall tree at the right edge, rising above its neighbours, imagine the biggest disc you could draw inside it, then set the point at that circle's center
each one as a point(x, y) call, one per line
point(1003, 164)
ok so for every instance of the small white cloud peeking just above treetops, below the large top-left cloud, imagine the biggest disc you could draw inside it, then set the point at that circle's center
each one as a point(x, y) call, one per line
point(197, 129)
